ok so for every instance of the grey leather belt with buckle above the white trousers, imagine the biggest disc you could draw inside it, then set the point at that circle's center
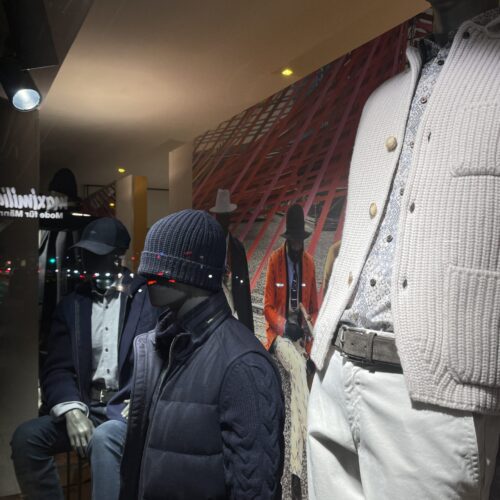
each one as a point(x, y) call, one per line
point(367, 347)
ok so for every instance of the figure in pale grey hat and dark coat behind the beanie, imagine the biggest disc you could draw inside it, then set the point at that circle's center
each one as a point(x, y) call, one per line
point(236, 282)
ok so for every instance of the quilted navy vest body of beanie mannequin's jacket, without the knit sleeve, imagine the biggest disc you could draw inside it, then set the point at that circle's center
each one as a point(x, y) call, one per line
point(180, 443)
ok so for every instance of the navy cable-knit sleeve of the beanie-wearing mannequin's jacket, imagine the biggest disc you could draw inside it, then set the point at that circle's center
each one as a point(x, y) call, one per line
point(252, 421)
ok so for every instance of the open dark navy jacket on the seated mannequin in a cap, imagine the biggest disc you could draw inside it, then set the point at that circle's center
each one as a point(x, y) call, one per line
point(67, 371)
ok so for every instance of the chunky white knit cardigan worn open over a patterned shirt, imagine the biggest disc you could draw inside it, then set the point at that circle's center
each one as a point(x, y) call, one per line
point(446, 275)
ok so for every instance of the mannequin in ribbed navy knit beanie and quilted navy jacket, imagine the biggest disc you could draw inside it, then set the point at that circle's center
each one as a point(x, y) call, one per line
point(207, 413)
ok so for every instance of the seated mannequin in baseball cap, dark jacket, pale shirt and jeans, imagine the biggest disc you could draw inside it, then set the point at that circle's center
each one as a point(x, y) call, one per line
point(85, 380)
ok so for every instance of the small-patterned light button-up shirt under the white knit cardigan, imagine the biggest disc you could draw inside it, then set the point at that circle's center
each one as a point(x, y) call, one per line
point(371, 303)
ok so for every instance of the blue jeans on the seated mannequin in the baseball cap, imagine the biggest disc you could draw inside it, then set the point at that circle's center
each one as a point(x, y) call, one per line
point(35, 443)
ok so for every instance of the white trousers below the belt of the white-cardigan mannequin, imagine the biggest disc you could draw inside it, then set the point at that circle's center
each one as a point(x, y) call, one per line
point(366, 440)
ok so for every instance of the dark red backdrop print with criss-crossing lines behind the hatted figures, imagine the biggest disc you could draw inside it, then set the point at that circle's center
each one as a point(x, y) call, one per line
point(295, 147)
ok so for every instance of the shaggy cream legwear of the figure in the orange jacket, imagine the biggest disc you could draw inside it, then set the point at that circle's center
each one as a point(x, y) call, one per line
point(292, 358)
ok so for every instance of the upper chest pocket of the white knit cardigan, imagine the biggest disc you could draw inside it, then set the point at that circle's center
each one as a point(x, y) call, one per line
point(475, 144)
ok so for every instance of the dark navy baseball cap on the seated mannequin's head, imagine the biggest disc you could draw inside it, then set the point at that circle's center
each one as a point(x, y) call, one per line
point(104, 235)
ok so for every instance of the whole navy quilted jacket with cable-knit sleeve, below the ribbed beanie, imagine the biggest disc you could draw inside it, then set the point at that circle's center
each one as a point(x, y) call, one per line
point(207, 413)
